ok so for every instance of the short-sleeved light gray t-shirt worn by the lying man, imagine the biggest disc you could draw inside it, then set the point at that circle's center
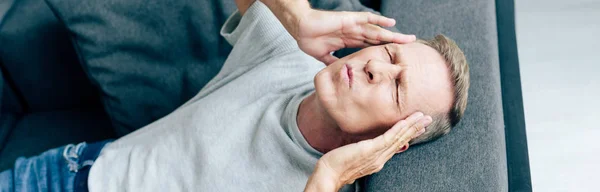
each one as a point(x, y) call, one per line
point(239, 133)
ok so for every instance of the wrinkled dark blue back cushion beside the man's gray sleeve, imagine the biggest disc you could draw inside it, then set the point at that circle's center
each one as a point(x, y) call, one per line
point(147, 56)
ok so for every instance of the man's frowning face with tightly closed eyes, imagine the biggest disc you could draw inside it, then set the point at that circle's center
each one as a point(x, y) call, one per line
point(369, 91)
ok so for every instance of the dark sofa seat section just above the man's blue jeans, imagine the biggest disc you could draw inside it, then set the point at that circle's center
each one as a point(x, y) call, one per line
point(37, 132)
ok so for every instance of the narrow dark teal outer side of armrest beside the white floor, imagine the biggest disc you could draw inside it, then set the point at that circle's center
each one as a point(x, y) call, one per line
point(519, 176)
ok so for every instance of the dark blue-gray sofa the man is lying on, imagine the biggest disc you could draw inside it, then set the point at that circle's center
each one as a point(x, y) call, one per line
point(51, 92)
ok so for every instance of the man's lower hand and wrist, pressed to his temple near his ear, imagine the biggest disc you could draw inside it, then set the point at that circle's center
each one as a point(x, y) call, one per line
point(346, 164)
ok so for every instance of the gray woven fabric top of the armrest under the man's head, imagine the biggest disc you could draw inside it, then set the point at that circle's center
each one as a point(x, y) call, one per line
point(473, 156)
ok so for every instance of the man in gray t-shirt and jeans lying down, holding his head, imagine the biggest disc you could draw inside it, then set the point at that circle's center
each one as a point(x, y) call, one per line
point(275, 118)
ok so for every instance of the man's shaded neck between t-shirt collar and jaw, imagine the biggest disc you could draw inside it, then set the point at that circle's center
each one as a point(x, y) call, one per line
point(317, 126)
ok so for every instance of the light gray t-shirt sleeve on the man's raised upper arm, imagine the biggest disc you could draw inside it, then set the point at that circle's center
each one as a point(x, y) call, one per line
point(255, 37)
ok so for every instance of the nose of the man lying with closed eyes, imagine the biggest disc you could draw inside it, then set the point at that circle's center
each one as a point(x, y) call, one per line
point(378, 71)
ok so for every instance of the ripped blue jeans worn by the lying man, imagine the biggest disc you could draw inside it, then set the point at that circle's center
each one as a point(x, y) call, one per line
point(61, 169)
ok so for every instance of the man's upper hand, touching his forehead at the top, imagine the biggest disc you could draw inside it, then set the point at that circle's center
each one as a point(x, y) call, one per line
point(321, 32)
